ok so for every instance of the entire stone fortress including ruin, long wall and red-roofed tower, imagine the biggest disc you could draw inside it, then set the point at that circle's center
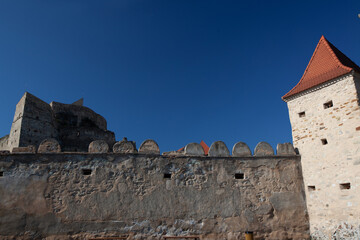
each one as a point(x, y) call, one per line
point(63, 175)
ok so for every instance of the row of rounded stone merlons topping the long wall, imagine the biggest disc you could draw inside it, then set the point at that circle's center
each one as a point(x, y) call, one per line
point(150, 147)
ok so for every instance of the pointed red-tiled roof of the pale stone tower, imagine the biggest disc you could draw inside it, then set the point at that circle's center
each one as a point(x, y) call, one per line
point(326, 63)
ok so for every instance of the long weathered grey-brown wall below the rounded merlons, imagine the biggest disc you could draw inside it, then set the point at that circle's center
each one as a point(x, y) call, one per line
point(149, 196)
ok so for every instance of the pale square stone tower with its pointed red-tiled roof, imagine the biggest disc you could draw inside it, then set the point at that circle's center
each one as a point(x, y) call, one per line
point(325, 119)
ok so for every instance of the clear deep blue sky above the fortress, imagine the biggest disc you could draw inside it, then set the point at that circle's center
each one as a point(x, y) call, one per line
point(174, 71)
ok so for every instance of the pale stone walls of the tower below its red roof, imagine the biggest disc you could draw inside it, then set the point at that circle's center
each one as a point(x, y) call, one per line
point(329, 144)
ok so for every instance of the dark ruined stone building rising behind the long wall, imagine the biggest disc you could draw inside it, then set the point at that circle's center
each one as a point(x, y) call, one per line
point(73, 126)
